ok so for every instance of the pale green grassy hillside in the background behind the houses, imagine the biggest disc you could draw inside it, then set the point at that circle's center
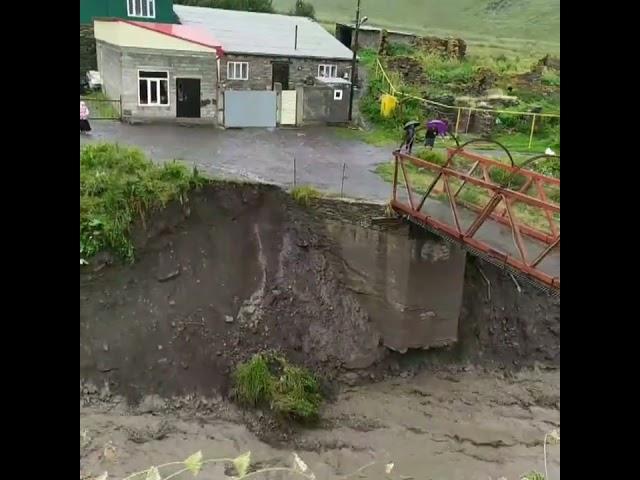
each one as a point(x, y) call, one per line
point(519, 24)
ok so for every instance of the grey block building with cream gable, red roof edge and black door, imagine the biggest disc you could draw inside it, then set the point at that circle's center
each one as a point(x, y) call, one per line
point(159, 71)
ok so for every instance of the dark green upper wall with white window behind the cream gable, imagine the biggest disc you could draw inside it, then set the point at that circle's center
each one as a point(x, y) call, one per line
point(92, 9)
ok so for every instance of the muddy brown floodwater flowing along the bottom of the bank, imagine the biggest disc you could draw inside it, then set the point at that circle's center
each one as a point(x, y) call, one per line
point(467, 424)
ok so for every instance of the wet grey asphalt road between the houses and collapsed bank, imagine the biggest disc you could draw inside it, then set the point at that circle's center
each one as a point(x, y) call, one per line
point(262, 155)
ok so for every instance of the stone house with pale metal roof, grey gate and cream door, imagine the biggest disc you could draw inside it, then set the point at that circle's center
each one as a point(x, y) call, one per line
point(280, 56)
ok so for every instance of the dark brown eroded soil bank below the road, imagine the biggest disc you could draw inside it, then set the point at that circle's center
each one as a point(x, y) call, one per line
point(240, 269)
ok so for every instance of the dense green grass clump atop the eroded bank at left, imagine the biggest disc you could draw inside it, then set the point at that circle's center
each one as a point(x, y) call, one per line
point(117, 185)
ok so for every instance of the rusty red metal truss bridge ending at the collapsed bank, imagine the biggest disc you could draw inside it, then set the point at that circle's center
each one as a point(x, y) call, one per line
point(505, 212)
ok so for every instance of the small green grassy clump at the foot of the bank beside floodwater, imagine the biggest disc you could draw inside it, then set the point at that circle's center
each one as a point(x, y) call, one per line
point(268, 380)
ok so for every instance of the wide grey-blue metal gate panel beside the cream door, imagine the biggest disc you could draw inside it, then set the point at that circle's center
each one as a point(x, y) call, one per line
point(249, 108)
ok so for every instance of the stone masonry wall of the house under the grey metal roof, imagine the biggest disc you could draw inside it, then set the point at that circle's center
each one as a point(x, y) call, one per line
point(260, 71)
